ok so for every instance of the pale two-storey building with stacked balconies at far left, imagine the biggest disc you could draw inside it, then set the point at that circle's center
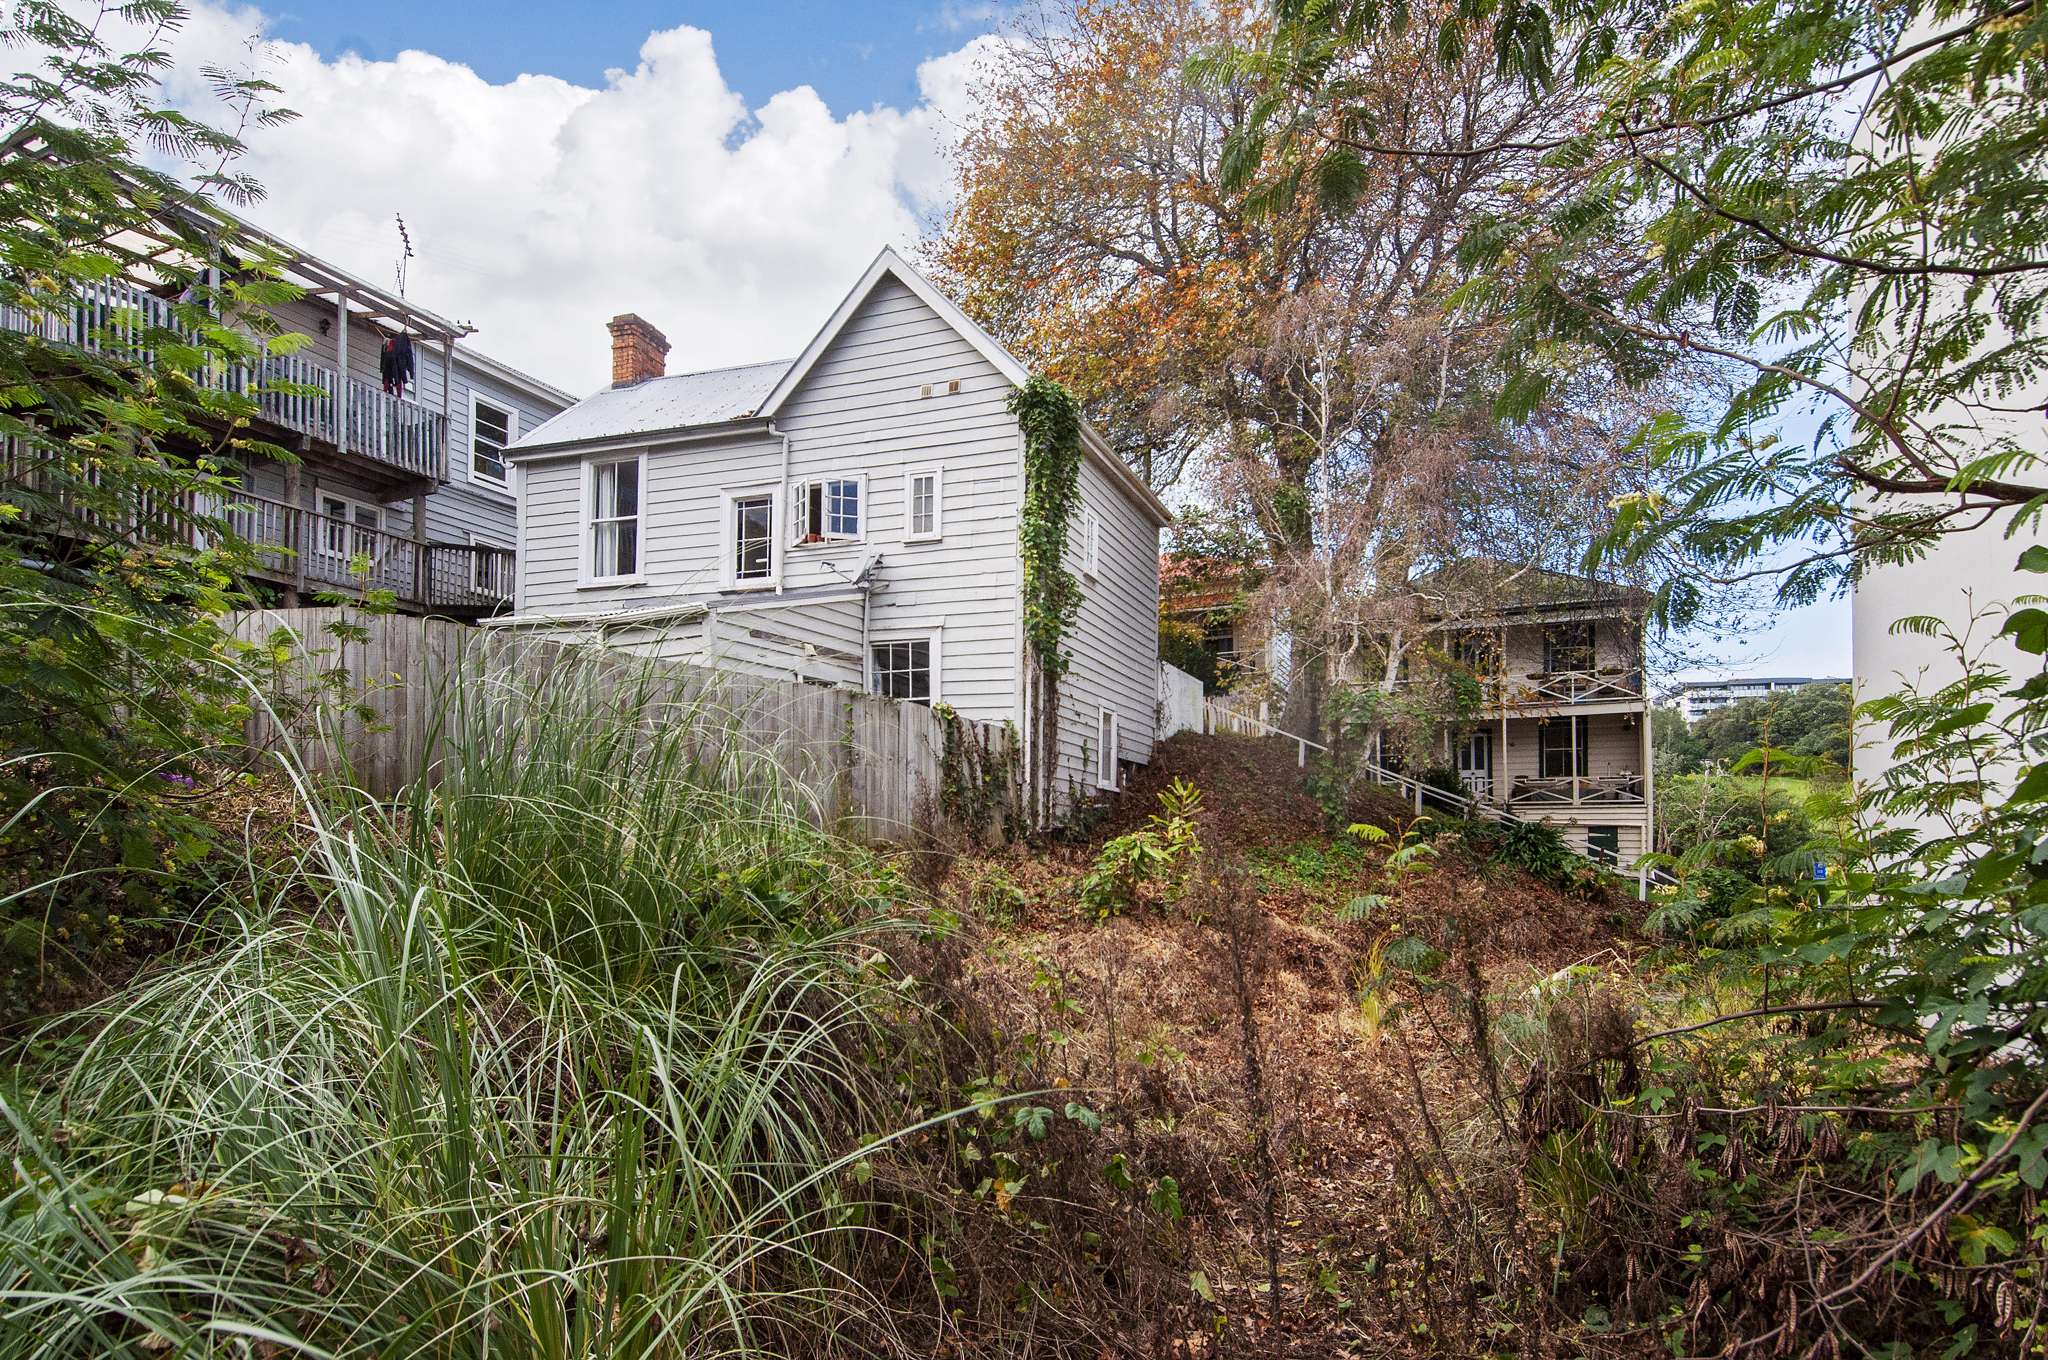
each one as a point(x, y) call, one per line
point(394, 486)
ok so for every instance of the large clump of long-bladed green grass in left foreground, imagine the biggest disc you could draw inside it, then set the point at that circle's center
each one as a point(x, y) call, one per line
point(570, 1056)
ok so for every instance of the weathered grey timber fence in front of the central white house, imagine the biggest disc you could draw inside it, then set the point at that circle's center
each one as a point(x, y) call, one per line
point(376, 699)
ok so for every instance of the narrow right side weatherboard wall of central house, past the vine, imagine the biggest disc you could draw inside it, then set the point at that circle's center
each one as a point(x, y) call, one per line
point(1115, 640)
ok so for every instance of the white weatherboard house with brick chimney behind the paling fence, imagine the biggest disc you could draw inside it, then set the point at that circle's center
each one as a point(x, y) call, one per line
point(849, 517)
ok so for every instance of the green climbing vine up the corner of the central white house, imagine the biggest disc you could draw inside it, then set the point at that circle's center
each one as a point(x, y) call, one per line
point(1052, 423)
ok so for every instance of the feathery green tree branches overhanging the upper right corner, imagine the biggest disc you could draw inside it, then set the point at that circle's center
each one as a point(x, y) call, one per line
point(1836, 206)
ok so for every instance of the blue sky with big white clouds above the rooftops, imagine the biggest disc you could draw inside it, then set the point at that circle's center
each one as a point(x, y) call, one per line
point(724, 169)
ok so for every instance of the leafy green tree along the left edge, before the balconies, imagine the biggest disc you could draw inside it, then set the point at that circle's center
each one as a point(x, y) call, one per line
point(130, 300)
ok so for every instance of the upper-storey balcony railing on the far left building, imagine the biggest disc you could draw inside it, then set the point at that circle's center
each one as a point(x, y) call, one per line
point(112, 318)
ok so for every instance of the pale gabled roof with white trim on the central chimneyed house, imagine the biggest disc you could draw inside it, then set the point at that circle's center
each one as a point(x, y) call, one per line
point(757, 392)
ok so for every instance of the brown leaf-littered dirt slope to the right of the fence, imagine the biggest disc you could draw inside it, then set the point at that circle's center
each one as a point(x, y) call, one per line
point(1142, 1013)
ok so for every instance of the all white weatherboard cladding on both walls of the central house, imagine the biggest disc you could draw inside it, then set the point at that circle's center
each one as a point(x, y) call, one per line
point(896, 390)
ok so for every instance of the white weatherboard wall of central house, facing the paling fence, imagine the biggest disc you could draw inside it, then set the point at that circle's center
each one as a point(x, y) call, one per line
point(859, 411)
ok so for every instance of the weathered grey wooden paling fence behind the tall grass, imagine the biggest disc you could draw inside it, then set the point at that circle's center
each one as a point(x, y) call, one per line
point(865, 763)
